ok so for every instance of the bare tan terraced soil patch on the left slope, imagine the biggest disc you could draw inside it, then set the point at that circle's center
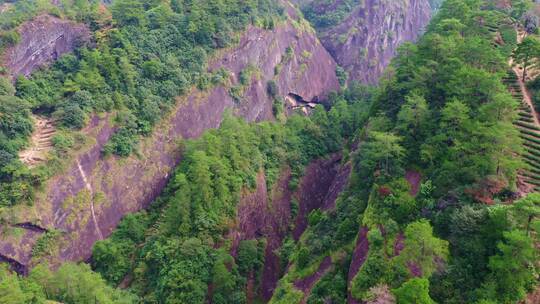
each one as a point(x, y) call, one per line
point(40, 142)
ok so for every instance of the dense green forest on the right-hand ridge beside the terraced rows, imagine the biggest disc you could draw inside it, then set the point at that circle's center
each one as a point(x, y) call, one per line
point(445, 114)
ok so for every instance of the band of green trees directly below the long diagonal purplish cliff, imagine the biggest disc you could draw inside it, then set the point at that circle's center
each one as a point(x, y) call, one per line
point(180, 257)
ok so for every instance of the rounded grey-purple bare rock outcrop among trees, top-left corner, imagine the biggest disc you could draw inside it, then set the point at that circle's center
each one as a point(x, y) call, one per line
point(43, 40)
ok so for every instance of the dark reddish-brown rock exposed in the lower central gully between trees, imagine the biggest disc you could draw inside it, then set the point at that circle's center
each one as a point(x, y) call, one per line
point(270, 217)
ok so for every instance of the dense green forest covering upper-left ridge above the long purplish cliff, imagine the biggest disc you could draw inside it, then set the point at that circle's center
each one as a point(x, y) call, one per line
point(147, 53)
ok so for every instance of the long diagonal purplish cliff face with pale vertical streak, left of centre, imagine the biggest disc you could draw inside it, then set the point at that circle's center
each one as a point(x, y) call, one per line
point(88, 200)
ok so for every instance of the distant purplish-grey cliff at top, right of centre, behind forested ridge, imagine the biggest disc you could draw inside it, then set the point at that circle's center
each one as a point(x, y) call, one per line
point(366, 40)
